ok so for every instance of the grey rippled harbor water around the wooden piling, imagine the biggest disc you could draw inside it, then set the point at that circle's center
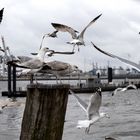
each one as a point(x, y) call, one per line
point(123, 109)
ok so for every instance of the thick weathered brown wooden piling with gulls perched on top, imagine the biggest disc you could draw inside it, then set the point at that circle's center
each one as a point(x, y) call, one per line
point(44, 113)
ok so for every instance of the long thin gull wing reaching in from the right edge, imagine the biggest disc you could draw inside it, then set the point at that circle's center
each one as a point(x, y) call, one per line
point(133, 64)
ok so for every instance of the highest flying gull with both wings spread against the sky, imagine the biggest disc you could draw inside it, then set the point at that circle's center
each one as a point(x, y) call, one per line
point(77, 39)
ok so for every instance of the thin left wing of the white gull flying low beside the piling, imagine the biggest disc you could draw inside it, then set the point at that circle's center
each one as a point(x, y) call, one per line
point(82, 104)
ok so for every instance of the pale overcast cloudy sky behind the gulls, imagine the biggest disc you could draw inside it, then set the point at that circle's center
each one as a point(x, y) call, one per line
point(116, 31)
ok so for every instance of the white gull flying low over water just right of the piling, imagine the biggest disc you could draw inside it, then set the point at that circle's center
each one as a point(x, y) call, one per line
point(91, 109)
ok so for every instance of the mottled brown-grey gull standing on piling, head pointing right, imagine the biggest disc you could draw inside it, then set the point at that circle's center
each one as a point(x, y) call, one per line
point(58, 68)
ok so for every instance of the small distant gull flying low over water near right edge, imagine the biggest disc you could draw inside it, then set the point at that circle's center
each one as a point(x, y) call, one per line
point(131, 86)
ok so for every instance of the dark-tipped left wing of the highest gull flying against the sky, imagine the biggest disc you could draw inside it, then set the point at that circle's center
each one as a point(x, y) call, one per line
point(65, 28)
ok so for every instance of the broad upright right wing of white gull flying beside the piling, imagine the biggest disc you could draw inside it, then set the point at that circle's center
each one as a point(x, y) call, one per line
point(94, 105)
